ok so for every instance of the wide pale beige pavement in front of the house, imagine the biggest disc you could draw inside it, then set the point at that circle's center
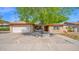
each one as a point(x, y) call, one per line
point(19, 42)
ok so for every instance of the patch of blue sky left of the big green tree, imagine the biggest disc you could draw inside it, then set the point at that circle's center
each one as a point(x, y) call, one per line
point(9, 14)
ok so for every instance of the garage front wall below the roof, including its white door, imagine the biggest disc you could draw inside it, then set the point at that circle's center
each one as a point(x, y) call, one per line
point(21, 29)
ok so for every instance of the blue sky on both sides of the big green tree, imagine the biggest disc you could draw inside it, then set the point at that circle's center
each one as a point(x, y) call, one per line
point(9, 14)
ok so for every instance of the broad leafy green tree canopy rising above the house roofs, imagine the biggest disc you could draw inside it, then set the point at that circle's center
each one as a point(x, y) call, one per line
point(48, 15)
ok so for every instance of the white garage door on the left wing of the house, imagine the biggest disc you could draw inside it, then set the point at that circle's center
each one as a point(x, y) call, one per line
point(21, 29)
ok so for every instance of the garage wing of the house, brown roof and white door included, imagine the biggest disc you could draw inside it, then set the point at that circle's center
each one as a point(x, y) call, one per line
point(21, 27)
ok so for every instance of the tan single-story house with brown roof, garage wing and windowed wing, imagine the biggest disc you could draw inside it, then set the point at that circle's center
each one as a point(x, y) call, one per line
point(24, 27)
